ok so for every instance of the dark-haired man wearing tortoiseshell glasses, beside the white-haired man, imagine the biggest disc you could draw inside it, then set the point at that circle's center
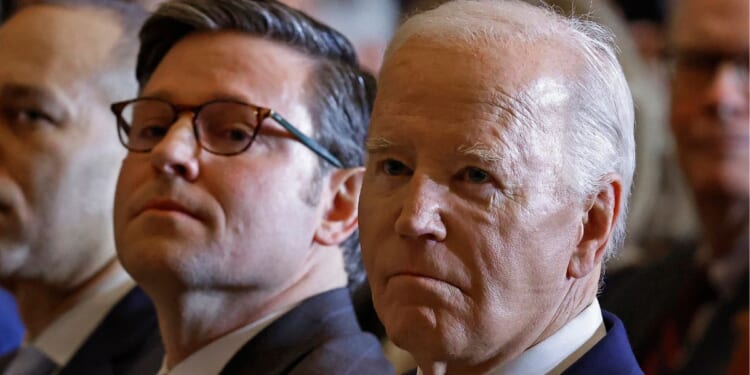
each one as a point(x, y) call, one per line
point(240, 189)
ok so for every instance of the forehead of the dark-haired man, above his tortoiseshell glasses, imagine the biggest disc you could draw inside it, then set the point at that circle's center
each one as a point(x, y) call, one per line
point(230, 65)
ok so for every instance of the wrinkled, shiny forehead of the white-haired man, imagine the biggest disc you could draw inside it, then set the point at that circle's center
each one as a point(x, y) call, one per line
point(526, 81)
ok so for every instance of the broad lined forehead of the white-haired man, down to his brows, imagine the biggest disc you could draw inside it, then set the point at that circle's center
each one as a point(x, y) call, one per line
point(469, 93)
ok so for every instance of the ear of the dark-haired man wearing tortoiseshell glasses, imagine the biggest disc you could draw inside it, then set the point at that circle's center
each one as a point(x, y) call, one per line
point(340, 219)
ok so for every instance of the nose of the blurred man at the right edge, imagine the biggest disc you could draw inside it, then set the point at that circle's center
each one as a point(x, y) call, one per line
point(728, 90)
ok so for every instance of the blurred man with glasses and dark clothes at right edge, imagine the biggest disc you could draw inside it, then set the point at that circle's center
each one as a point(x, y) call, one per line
point(690, 318)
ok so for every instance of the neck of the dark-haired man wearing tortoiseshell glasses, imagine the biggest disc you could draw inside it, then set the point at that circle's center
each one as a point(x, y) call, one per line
point(191, 318)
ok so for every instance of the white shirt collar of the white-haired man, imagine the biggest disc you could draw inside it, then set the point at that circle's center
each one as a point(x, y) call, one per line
point(558, 352)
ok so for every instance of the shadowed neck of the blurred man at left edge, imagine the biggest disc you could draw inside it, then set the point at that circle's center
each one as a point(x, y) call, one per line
point(41, 303)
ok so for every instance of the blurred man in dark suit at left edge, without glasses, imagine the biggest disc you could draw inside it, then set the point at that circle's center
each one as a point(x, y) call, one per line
point(62, 64)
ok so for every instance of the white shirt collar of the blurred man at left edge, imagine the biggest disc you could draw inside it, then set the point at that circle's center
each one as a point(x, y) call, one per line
point(62, 338)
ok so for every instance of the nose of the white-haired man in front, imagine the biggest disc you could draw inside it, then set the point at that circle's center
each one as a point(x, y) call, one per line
point(420, 215)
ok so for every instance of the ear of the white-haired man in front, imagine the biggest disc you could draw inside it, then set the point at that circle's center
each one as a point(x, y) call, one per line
point(597, 227)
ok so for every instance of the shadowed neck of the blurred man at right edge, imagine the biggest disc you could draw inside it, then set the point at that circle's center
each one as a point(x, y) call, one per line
point(724, 221)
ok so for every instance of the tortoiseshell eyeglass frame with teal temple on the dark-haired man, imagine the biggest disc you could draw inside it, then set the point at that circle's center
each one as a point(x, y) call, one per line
point(261, 112)
